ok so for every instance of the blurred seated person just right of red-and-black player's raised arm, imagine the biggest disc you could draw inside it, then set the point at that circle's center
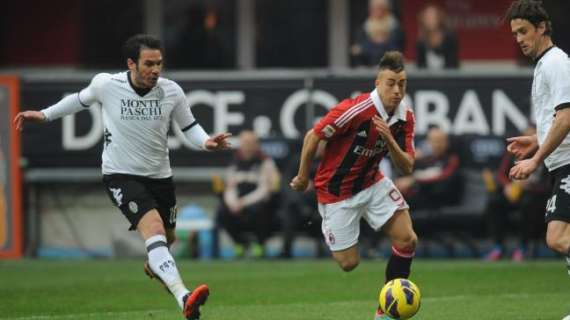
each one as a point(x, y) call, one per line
point(436, 180)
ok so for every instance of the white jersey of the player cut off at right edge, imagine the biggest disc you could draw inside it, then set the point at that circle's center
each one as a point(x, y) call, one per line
point(550, 89)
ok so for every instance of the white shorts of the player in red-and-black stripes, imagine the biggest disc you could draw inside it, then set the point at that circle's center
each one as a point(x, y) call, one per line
point(376, 204)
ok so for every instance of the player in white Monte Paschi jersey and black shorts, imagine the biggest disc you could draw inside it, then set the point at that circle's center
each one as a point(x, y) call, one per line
point(138, 106)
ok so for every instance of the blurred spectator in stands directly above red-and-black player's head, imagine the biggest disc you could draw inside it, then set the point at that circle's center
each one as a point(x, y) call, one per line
point(381, 32)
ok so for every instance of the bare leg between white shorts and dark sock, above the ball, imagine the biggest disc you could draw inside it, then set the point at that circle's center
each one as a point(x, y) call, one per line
point(400, 230)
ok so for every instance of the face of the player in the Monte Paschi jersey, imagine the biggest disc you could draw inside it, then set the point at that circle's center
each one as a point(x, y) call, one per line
point(148, 68)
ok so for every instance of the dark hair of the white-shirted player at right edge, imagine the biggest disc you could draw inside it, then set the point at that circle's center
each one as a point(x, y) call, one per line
point(532, 11)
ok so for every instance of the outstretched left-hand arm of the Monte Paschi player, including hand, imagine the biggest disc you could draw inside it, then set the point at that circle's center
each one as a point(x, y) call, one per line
point(70, 104)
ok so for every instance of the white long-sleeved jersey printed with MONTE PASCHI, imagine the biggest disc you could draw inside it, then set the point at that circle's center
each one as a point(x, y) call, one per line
point(135, 127)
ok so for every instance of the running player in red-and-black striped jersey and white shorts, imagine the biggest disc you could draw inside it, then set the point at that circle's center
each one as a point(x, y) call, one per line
point(359, 133)
